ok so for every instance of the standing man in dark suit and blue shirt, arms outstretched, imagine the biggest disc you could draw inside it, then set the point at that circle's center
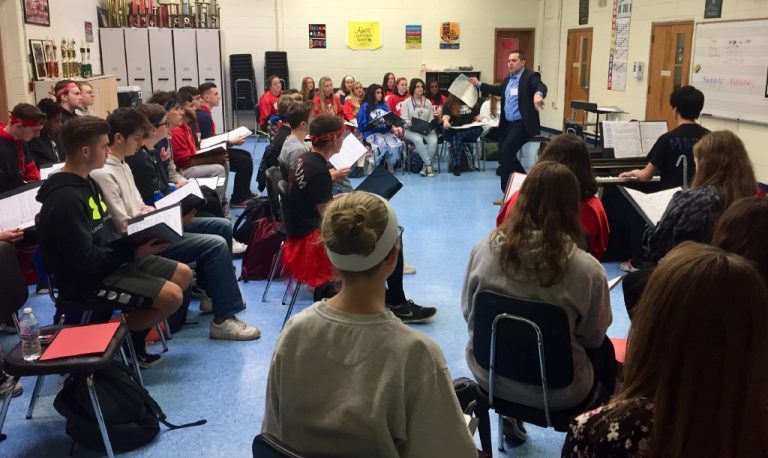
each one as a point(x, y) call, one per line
point(522, 97)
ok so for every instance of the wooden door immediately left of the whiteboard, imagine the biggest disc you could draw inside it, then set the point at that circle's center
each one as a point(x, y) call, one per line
point(669, 69)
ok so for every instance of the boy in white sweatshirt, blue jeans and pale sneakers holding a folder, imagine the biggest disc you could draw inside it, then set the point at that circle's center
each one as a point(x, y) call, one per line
point(206, 241)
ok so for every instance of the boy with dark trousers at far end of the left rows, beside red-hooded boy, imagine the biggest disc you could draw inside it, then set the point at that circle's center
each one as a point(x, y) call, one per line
point(240, 161)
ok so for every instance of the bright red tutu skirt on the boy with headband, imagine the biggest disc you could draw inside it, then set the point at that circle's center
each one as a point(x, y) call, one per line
point(307, 261)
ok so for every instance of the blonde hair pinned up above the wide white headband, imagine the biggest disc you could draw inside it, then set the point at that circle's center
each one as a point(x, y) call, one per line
point(354, 223)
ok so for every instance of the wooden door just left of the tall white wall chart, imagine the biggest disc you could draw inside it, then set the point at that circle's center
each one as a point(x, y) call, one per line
point(578, 61)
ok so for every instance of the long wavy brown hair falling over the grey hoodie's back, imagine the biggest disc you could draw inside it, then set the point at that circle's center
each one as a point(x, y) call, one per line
point(548, 202)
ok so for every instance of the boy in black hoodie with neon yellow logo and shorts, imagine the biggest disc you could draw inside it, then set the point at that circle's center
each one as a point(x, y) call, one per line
point(75, 227)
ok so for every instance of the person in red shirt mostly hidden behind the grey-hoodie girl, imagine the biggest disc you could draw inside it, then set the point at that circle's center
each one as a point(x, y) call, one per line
point(571, 151)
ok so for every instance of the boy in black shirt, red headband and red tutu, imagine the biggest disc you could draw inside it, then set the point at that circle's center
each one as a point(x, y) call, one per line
point(309, 191)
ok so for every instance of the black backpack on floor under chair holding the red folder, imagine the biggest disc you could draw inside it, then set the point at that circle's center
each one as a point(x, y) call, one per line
point(131, 415)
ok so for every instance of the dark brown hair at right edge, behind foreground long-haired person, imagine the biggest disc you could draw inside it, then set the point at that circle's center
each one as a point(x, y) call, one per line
point(742, 230)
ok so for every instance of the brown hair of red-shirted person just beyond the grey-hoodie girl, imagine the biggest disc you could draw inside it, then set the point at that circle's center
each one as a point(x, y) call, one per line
point(571, 151)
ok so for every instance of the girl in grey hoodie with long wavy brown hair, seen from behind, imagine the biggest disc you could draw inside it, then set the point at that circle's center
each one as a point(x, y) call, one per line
point(538, 253)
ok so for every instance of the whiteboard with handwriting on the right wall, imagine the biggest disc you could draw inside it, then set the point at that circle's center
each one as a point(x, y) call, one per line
point(730, 66)
